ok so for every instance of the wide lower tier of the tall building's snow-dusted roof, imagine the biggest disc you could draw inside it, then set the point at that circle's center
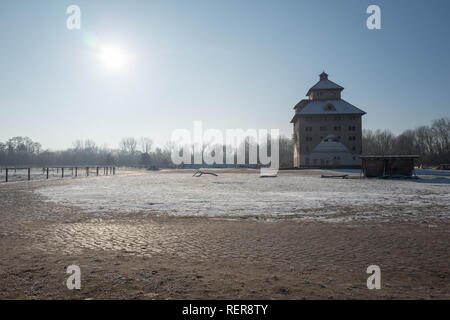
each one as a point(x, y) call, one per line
point(329, 107)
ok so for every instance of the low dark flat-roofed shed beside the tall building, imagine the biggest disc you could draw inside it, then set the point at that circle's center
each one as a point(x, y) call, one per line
point(388, 166)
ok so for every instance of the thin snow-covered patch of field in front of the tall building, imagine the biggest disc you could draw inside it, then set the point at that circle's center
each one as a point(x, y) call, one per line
point(295, 194)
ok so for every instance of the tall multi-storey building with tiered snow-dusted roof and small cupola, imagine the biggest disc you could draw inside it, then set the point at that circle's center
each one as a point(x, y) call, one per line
point(327, 129)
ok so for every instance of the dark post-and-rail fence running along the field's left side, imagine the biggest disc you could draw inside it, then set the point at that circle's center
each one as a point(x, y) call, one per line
point(74, 171)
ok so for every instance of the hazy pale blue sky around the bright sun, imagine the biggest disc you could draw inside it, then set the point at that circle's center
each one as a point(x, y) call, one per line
point(231, 64)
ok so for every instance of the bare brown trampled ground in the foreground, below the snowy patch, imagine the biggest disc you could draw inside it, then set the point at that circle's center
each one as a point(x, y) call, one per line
point(140, 255)
